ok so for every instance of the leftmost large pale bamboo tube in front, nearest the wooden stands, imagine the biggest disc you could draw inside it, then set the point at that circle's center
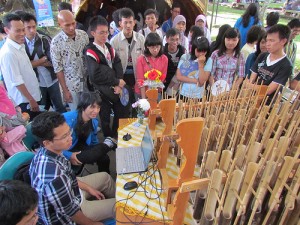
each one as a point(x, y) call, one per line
point(213, 194)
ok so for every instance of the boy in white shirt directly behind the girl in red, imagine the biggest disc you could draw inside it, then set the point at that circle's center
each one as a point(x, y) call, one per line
point(151, 17)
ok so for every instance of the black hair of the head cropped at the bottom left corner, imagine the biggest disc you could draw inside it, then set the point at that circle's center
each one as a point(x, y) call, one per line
point(17, 199)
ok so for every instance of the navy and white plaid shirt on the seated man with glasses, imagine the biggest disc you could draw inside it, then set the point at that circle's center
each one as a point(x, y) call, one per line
point(57, 187)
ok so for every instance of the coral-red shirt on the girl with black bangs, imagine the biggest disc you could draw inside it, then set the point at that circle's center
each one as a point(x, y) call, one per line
point(160, 63)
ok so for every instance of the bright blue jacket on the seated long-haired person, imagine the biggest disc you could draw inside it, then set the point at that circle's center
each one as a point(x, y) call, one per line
point(71, 120)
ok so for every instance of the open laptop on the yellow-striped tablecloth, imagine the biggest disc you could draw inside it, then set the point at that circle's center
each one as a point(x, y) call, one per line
point(136, 158)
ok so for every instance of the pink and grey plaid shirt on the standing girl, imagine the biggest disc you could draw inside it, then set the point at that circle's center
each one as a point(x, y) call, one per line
point(226, 67)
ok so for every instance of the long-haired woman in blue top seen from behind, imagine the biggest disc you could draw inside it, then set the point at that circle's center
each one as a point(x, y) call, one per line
point(246, 21)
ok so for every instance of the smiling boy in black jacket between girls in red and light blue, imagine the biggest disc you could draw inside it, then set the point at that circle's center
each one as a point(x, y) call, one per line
point(173, 50)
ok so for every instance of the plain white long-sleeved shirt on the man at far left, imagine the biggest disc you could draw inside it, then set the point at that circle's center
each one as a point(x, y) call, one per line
point(16, 70)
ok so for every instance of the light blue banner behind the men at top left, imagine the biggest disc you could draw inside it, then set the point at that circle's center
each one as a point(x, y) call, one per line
point(43, 12)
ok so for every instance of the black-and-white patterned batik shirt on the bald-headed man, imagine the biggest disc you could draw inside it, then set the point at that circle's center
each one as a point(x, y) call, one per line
point(67, 56)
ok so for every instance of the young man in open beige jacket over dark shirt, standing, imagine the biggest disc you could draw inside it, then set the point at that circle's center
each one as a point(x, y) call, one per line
point(129, 45)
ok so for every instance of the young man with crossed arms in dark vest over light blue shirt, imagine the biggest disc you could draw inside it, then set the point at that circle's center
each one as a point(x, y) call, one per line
point(37, 47)
